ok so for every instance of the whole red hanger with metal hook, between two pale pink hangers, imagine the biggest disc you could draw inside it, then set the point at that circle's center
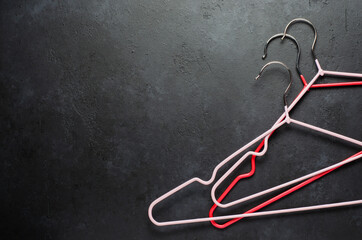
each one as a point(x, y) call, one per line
point(252, 171)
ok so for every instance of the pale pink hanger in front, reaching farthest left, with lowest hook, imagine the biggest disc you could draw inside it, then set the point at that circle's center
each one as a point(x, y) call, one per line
point(208, 182)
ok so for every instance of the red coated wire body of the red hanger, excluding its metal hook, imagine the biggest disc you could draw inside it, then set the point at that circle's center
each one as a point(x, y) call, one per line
point(252, 171)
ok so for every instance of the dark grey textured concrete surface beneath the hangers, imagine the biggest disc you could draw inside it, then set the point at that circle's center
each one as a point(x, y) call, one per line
point(106, 105)
